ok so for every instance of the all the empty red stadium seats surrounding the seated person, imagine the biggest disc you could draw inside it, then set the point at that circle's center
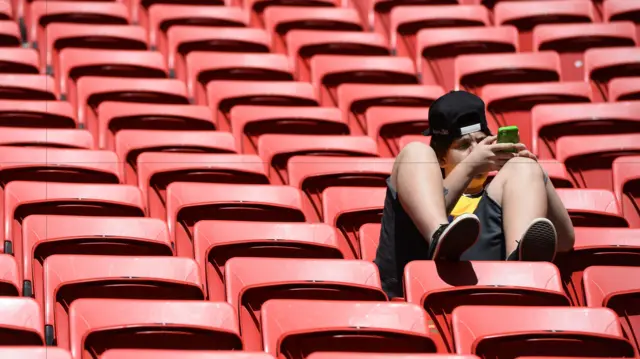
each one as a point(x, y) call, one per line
point(205, 179)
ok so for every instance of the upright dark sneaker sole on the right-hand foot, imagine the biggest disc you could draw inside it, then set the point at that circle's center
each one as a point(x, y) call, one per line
point(539, 242)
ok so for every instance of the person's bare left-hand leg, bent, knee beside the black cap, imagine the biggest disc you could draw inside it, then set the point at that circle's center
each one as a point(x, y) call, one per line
point(417, 178)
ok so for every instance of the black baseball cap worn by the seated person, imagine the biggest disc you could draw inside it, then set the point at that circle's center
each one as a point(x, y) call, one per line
point(455, 114)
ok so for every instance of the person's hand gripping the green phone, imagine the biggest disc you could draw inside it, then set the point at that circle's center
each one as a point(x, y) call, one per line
point(489, 156)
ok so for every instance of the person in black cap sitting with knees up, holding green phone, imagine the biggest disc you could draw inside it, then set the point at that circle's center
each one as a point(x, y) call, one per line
point(517, 216)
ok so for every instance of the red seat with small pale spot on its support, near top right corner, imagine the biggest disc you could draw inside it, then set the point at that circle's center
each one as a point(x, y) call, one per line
point(572, 40)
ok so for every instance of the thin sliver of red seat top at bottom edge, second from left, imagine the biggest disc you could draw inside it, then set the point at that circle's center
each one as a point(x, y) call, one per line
point(184, 354)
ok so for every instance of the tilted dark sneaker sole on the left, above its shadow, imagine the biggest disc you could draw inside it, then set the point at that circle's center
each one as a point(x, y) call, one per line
point(460, 236)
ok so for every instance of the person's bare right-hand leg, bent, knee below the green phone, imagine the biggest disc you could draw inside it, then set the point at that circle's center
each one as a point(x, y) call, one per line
point(520, 190)
